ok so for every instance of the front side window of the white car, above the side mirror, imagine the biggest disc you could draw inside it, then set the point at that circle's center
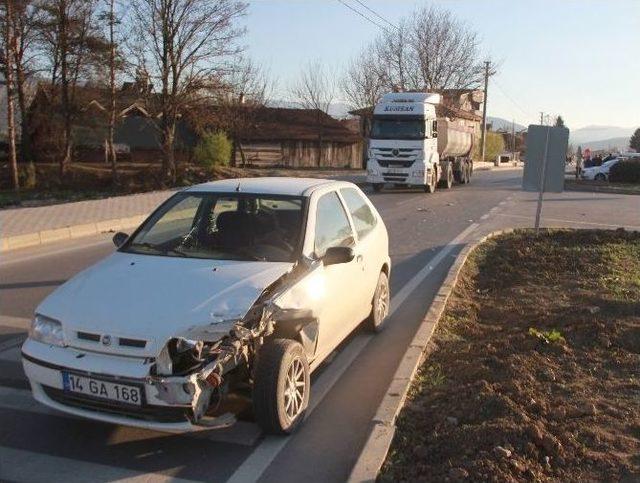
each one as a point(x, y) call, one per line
point(332, 225)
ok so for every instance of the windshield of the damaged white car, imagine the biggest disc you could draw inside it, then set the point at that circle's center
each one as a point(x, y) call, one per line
point(223, 226)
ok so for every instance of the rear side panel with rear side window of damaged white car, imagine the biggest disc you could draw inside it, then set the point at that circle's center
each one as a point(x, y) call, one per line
point(368, 248)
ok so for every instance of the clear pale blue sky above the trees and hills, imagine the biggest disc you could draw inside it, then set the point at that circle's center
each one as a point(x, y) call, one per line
point(577, 58)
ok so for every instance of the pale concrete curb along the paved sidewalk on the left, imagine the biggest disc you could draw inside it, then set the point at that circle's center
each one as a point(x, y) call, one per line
point(69, 232)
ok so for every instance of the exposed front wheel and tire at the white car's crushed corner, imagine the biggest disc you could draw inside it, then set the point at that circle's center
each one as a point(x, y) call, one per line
point(276, 411)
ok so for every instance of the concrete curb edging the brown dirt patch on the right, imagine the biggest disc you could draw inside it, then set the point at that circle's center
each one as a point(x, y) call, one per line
point(383, 428)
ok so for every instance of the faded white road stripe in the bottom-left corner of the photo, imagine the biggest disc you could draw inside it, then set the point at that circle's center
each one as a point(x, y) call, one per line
point(19, 465)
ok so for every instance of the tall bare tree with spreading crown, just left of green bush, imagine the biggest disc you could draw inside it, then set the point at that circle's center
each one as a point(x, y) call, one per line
point(183, 45)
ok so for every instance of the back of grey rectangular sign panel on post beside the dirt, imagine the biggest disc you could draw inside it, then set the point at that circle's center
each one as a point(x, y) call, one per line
point(553, 140)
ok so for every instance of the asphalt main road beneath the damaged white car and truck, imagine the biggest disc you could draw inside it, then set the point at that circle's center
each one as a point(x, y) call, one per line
point(37, 444)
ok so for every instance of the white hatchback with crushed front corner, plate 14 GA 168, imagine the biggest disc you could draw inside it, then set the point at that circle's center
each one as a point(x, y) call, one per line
point(221, 303)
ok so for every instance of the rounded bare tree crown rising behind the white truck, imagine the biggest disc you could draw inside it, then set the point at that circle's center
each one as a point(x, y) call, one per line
point(431, 50)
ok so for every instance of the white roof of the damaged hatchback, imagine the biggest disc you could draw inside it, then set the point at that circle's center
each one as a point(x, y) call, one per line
point(267, 185)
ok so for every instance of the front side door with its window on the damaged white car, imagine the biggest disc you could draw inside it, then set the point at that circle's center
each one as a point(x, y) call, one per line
point(340, 307)
